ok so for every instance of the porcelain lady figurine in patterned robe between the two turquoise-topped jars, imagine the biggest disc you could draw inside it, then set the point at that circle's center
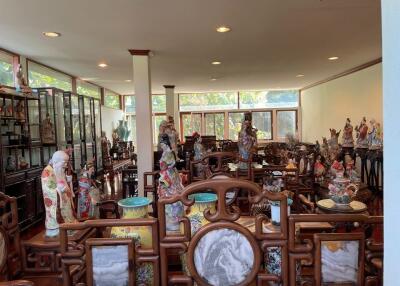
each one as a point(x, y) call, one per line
point(170, 184)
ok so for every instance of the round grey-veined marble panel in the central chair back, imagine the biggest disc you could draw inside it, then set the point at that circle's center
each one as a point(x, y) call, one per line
point(223, 257)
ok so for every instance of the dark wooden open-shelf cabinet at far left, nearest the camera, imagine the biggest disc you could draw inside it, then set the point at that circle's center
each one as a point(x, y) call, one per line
point(21, 153)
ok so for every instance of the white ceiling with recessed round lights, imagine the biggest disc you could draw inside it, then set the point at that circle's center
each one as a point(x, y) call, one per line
point(270, 43)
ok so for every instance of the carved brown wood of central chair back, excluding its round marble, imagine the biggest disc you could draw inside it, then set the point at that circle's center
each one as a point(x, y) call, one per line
point(225, 217)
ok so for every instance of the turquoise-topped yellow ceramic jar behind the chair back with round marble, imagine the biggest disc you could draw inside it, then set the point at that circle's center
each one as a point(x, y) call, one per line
point(202, 201)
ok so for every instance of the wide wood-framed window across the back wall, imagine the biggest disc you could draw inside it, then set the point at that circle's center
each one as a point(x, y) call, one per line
point(274, 113)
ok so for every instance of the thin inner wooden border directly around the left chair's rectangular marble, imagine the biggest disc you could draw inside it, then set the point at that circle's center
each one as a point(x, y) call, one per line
point(108, 242)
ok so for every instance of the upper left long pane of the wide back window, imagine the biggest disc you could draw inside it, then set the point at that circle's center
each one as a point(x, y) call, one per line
point(208, 101)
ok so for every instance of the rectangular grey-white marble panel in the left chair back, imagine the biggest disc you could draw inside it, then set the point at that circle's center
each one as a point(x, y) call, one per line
point(110, 265)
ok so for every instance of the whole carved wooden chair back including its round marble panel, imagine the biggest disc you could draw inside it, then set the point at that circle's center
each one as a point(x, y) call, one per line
point(227, 233)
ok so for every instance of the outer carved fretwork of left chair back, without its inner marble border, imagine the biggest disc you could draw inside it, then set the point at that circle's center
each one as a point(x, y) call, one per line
point(73, 254)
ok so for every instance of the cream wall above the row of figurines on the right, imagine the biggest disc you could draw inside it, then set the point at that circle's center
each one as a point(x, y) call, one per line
point(328, 105)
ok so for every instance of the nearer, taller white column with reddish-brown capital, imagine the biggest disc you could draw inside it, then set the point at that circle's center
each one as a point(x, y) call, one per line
point(144, 134)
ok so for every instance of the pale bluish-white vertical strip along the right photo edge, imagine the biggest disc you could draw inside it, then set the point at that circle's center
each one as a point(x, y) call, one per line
point(391, 131)
